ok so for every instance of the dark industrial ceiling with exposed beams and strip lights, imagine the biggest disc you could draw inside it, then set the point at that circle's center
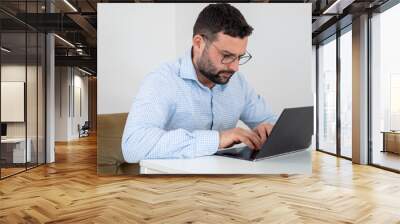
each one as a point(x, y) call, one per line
point(76, 22)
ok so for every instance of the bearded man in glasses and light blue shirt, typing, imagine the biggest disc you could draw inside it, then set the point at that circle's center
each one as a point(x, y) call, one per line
point(190, 108)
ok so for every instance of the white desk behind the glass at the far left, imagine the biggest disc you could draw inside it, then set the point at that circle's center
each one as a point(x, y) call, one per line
point(19, 155)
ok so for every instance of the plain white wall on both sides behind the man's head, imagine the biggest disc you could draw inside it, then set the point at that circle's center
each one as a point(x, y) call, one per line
point(134, 39)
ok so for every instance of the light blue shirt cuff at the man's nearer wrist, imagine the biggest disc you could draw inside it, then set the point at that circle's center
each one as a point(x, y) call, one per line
point(207, 142)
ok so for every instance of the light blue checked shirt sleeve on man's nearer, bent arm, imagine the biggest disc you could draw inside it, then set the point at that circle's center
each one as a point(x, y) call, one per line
point(145, 136)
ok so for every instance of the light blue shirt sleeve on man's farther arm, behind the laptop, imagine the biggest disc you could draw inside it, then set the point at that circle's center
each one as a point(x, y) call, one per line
point(256, 109)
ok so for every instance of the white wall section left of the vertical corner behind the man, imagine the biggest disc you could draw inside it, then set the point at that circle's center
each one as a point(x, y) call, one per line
point(133, 39)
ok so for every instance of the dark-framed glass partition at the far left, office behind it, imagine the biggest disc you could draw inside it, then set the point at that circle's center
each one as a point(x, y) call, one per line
point(22, 63)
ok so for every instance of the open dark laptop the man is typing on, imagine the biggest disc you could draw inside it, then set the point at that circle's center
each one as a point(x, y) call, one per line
point(291, 133)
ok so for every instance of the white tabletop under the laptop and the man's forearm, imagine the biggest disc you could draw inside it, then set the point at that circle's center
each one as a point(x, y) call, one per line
point(294, 163)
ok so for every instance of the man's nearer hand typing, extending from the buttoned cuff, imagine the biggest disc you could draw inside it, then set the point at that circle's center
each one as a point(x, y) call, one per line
point(234, 136)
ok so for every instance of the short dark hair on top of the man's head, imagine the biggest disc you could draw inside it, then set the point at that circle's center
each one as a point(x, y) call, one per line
point(221, 17)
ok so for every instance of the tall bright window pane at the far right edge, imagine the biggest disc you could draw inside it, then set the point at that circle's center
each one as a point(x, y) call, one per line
point(385, 88)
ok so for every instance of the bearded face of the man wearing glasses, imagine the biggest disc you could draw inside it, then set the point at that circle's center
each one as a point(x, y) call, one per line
point(210, 61)
